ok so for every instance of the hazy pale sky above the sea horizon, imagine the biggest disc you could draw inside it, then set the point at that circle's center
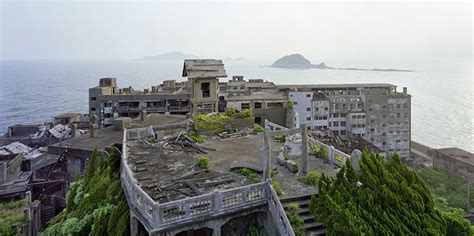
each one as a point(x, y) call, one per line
point(96, 30)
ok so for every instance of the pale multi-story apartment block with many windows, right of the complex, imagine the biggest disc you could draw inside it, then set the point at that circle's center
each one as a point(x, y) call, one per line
point(375, 112)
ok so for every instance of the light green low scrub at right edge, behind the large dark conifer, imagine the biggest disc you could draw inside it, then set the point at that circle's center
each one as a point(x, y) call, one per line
point(448, 190)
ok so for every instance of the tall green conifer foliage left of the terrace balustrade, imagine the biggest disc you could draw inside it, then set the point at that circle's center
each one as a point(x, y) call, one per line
point(95, 202)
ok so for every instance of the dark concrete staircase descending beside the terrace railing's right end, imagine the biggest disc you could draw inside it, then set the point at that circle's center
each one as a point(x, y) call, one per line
point(312, 227)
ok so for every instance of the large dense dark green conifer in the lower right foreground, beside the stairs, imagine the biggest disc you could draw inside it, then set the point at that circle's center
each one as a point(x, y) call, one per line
point(385, 198)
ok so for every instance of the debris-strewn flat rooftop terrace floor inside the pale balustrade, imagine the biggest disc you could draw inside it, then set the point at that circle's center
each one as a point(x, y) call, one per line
point(167, 173)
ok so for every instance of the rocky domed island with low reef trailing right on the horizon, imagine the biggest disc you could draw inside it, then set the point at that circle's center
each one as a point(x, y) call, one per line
point(298, 61)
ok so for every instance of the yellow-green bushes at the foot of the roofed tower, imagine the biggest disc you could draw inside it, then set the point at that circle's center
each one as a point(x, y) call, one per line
point(216, 123)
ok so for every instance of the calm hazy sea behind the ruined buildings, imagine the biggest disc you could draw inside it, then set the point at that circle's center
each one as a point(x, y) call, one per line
point(442, 90)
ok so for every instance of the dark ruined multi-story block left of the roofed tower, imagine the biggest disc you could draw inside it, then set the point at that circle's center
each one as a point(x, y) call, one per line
point(107, 101)
